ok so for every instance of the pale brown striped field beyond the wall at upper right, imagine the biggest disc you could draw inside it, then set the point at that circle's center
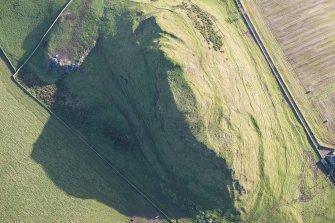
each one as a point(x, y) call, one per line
point(300, 35)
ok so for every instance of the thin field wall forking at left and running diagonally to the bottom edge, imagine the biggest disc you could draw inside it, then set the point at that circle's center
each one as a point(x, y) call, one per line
point(72, 130)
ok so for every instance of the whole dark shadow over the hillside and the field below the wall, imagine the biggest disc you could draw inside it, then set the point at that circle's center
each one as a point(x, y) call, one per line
point(133, 82)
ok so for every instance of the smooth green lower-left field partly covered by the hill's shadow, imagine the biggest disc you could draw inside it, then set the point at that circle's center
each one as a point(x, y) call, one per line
point(48, 175)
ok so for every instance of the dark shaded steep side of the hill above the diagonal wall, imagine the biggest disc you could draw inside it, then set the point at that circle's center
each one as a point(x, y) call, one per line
point(133, 101)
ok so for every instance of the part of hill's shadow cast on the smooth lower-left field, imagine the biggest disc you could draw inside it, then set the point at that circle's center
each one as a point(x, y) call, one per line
point(80, 173)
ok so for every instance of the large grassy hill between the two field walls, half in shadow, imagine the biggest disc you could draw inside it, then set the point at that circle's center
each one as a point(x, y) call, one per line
point(177, 95)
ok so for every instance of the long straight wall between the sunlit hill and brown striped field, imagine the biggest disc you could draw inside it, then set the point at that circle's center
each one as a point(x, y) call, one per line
point(309, 133)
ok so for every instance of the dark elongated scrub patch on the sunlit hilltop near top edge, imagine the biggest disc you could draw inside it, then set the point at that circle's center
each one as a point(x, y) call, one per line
point(203, 22)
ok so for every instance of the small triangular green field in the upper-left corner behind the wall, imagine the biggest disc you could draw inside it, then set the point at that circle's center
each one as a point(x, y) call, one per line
point(23, 23)
